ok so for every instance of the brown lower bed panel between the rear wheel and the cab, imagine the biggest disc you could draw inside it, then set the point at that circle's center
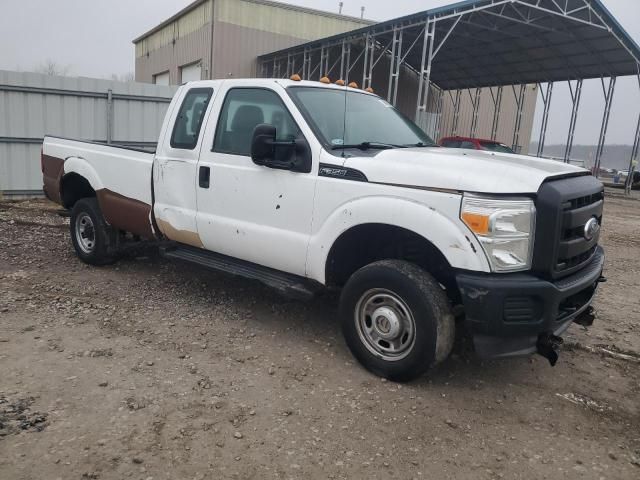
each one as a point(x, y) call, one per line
point(126, 213)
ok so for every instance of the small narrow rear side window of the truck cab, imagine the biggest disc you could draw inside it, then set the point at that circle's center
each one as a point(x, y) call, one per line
point(189, 121)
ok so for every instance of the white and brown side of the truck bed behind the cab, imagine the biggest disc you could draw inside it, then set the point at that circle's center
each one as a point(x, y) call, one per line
point(120, 176)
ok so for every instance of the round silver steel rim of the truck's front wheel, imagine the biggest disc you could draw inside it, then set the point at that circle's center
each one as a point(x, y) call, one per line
point(385, 324)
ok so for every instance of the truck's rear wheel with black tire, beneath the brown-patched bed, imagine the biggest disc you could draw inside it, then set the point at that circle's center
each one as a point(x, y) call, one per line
point(93, 239)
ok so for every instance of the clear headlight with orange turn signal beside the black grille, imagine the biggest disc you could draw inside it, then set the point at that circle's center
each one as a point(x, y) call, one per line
point(504, 228)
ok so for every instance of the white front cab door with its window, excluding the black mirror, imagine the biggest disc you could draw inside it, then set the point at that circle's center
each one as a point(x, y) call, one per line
point(248, 211)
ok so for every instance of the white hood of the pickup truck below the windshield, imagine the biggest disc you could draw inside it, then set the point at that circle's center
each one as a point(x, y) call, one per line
point(459, 169)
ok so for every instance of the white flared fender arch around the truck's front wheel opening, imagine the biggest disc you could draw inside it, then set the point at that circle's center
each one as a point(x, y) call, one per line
point(441, 228)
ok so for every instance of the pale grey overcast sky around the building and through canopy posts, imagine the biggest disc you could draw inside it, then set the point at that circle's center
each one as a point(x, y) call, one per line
point(93, 38)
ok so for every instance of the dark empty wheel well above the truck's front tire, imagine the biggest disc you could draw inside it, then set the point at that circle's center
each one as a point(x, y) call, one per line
point(365, 244)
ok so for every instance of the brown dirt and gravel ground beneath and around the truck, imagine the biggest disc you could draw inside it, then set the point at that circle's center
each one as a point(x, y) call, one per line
point(153, 370)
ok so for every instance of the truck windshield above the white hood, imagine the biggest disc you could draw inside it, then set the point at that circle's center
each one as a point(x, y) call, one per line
point(370, 121)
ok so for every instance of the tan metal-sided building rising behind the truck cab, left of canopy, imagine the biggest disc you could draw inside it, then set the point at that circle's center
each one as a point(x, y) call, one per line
point(222, 38)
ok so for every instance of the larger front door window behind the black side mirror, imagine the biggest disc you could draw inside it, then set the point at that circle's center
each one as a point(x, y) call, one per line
point(243, 110)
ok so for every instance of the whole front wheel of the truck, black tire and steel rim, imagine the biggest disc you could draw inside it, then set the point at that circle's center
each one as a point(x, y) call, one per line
point(412, 294)
